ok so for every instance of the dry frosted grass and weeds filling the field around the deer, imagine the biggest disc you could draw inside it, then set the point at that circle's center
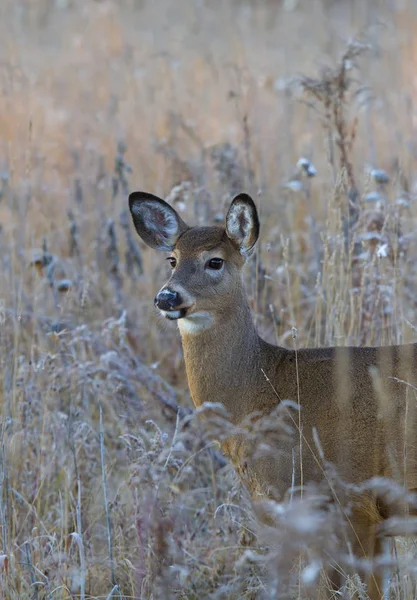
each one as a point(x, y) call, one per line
point(106, 488)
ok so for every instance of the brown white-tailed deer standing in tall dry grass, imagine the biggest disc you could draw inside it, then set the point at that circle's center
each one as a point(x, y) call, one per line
point(359, 402)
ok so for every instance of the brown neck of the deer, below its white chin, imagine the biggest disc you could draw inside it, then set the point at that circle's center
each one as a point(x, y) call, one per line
point(222, 358)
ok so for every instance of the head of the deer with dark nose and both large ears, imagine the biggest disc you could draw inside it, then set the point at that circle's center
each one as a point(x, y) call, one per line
point(206, 262)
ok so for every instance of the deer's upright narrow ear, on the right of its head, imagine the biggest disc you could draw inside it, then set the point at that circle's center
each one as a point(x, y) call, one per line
point(242, 223)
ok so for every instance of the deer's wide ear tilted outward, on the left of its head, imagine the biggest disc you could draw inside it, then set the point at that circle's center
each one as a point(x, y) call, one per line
point(157, 223)
